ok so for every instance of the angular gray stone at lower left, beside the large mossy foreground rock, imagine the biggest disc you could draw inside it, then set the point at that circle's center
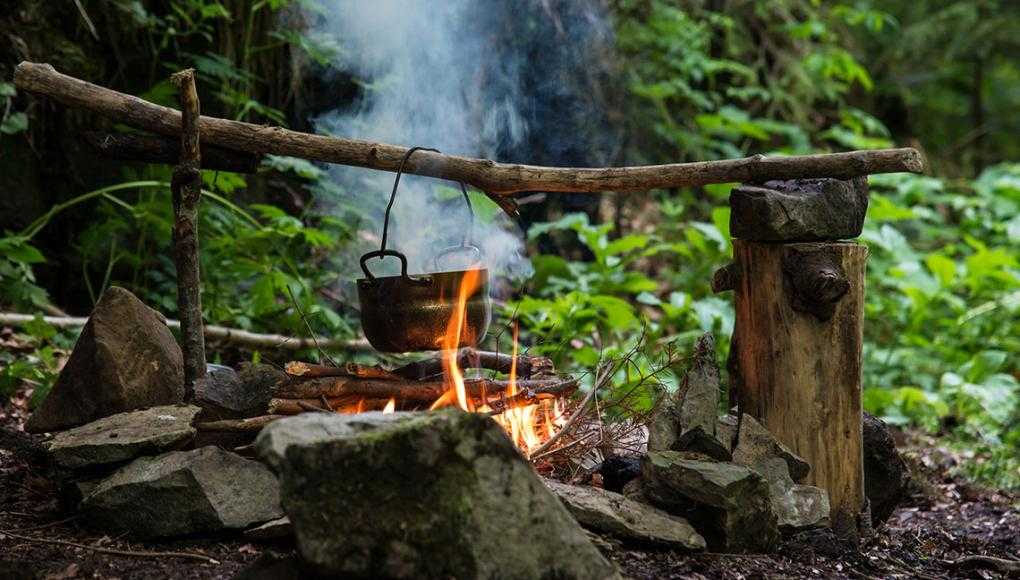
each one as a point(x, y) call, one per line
point(184, 493)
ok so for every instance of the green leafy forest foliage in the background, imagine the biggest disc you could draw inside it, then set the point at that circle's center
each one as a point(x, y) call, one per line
point(698, 80)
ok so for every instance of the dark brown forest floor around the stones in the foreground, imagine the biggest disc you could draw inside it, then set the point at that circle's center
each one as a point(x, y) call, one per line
point(945, 520)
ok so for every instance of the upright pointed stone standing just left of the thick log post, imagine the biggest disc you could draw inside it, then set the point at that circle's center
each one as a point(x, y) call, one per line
point(695, 404)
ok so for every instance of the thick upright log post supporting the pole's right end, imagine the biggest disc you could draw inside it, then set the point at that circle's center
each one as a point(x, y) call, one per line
point(797, 349)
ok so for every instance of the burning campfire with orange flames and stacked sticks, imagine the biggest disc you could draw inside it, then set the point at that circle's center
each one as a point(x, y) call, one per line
point(522, 393)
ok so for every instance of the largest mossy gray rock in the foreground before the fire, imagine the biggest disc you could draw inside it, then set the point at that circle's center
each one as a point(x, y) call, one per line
point(441, 495)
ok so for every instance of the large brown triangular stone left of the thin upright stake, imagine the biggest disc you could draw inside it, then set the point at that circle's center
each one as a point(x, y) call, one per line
point(125, 359)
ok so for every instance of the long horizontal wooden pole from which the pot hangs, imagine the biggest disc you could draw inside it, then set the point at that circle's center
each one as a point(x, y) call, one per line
point(488, 176)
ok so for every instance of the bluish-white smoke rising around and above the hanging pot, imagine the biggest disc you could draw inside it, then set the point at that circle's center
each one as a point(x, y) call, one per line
point(488, 79)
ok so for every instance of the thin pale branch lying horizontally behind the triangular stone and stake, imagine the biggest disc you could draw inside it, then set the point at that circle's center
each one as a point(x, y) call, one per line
point(220, 334)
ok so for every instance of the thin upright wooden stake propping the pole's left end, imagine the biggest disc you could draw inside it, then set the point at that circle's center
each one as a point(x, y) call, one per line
point(187, 190)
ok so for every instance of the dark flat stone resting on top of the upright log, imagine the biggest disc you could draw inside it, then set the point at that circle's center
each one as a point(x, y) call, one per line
point(799, 210)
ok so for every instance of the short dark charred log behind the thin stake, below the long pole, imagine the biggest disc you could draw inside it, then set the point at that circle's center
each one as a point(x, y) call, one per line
point(160, 149)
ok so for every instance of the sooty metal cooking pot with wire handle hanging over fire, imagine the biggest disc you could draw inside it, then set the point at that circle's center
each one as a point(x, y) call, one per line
point(401, 314)
